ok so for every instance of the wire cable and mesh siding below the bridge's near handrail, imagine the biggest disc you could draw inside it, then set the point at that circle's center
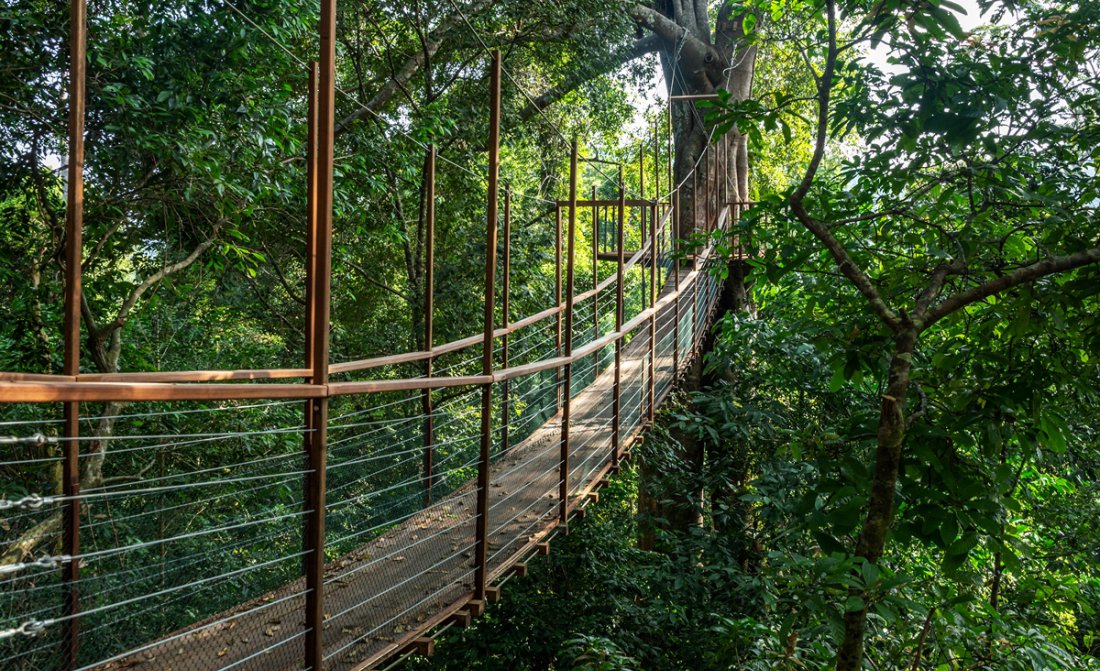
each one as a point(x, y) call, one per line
point(193, 514)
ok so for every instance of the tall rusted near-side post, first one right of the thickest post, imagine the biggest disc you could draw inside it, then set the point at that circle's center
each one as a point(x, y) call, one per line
point(481, 577)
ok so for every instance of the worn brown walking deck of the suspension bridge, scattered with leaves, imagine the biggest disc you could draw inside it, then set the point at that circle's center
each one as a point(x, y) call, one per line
point(428, 560)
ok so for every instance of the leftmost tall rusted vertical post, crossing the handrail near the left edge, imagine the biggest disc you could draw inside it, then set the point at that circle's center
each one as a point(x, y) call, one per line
point(74, 258)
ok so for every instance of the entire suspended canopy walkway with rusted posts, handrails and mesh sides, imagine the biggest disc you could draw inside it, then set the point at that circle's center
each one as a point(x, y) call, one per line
point(394, 504)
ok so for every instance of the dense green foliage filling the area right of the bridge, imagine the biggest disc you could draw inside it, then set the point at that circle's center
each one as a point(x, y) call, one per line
point(974, 158)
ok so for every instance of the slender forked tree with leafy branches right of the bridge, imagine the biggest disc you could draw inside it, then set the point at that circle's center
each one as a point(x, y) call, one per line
point(965, 222)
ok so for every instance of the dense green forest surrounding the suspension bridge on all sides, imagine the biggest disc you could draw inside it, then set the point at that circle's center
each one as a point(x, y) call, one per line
point(886, 458)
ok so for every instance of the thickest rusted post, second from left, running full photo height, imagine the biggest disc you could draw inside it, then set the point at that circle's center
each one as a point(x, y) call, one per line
point(317, 456)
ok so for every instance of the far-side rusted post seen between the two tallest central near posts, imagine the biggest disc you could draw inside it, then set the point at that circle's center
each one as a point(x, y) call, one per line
point(430, 310)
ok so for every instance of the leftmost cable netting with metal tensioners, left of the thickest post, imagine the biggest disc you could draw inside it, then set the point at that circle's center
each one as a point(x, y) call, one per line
point(190, 525)
